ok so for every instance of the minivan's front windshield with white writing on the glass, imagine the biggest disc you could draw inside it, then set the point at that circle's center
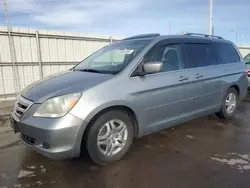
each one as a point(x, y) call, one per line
point(112, 58)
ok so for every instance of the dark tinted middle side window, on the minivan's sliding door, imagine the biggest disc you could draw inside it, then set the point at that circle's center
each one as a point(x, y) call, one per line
point(199, 55)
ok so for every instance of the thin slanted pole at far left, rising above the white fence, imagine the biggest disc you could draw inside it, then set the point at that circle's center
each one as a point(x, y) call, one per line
point(12, 50)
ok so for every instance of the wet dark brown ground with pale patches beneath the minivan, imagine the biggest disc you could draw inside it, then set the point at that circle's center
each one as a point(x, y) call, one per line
point(205, 152)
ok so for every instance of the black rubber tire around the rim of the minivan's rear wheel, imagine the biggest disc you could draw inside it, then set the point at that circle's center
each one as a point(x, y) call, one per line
point(224, 113)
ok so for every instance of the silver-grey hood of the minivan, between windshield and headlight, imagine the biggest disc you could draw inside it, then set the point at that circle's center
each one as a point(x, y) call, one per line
point(61, 84)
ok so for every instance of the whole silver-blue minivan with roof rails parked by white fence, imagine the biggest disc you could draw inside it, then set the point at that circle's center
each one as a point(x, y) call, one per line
point(129, 89)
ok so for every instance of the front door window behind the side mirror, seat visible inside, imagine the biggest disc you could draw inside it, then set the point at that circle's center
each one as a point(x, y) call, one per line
point(169, 55)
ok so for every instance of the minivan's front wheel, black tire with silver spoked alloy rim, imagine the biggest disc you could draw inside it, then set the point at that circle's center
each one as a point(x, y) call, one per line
point(101, 129)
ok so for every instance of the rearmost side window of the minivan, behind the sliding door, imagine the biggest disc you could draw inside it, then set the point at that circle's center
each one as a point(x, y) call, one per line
point(226, 53)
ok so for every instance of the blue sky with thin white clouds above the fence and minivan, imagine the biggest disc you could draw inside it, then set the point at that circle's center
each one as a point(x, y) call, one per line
point(130, 17)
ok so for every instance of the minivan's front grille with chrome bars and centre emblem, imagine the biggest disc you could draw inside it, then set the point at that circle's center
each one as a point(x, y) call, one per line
point(21, 106)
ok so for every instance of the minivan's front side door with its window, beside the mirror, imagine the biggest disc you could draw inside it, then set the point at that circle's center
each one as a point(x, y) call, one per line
point(167, 97)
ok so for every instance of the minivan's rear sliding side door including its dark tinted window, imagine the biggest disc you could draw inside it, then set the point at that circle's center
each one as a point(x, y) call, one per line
point(201, 61)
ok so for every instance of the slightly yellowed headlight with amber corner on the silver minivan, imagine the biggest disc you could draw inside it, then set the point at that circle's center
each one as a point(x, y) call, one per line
point(58, 106)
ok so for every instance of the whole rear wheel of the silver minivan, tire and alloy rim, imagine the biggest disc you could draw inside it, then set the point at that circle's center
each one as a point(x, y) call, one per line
point(229, 104)
